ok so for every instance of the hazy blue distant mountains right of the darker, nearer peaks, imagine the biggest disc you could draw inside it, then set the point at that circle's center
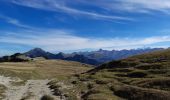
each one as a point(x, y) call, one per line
point(106, 55)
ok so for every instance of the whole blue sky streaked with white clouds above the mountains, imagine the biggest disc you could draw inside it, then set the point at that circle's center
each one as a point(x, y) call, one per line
point(80, 25)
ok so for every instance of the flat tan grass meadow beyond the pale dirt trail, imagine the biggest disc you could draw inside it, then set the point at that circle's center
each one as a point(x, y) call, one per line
point(42, 69)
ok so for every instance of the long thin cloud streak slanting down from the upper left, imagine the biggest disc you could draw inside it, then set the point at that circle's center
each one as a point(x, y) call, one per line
point(62, 6)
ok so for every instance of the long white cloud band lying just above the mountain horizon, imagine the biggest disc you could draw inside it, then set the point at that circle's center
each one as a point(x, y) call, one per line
point(60, 40)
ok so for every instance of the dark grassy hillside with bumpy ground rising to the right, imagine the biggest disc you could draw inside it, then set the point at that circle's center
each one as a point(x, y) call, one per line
point(142, 77)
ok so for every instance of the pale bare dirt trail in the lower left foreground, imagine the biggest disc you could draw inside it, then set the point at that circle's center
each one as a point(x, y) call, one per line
point(32, 90)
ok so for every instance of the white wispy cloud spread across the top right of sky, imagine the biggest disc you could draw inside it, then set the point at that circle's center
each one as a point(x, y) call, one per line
point(134, 6)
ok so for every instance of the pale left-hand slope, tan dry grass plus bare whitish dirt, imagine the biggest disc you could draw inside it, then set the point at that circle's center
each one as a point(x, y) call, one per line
point(30, 80)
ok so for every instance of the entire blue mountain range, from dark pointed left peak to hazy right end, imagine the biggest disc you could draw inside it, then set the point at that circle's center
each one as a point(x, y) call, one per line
point(93, 57)
